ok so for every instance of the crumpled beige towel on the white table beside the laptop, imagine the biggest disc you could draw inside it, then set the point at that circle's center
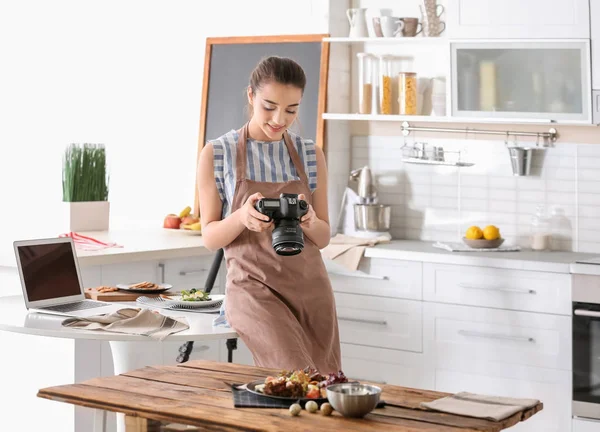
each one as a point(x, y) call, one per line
point(131, 321)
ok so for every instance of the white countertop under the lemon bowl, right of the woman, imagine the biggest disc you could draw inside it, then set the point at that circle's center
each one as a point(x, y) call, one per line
point(412, 250)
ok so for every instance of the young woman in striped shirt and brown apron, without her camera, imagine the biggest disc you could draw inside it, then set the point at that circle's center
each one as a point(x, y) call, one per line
point(282, 307)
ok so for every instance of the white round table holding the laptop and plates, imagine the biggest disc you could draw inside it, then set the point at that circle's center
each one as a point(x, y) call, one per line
point(129, 352)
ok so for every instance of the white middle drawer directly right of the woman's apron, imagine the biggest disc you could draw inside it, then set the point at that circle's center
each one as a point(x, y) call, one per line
point(380, 322)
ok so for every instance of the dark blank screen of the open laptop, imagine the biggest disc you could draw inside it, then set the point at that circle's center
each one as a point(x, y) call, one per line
point(49, 271)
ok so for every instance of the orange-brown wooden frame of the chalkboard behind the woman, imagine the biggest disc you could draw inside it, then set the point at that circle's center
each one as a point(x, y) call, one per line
point(322, 96)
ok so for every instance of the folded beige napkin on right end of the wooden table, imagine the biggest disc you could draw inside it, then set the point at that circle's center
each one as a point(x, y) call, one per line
point(495, 408)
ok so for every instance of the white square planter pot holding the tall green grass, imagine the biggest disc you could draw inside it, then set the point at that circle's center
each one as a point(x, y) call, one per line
point(87, 215)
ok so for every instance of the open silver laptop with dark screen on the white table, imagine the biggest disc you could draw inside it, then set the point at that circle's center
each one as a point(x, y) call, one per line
point(51, 280)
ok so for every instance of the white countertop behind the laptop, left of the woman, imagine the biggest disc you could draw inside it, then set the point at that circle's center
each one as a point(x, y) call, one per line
point(138, 245)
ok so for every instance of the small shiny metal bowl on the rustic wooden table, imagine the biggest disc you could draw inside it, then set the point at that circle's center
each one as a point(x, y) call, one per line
point(353, 399)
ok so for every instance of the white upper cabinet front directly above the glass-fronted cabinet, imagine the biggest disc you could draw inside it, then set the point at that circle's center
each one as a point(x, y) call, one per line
point(516, 19)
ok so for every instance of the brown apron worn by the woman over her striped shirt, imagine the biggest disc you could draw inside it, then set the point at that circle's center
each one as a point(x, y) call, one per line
point(282, 307)
